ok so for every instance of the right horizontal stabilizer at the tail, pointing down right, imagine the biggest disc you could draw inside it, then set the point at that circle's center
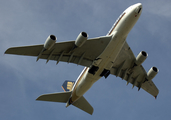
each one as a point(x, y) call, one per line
point(83, 104)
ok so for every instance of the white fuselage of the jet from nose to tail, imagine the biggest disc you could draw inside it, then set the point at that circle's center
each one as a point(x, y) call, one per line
point(105, 60)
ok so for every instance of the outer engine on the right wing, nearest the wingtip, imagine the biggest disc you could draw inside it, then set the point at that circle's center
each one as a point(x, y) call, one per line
point(152, 73)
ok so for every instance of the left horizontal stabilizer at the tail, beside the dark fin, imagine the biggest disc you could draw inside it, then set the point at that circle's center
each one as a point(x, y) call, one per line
point(55, 97)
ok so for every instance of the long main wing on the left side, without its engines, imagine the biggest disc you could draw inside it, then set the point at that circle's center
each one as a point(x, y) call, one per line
point(61, 51)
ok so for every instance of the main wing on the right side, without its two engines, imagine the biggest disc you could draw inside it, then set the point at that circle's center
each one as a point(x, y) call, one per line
point(123, 67)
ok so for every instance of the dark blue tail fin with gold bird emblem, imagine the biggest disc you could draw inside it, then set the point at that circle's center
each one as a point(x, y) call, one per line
point(68, 85)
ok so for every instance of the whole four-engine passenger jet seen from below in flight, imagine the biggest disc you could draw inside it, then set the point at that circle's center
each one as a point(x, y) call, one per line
point(101, 57)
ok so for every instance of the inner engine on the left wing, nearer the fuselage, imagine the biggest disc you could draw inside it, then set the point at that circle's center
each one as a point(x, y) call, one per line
point(81, 39)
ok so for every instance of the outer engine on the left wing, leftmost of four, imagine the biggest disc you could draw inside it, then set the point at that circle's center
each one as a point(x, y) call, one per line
point(50, 41)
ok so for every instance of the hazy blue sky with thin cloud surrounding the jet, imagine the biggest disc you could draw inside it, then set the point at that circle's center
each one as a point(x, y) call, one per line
point(24, 22)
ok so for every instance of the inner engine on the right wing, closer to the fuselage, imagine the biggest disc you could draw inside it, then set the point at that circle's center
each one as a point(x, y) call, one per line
point(141, 58)
